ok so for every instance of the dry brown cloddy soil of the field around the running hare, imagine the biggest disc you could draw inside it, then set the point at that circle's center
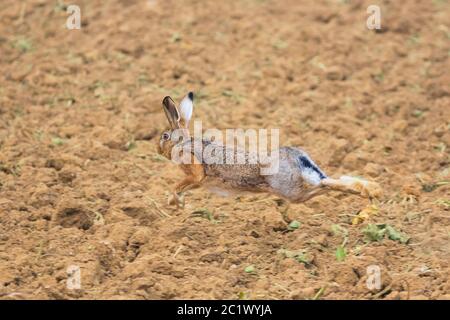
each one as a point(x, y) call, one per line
point(80, 114)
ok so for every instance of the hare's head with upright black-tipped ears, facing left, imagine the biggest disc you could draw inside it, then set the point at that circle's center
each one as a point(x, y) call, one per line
point(178, 123)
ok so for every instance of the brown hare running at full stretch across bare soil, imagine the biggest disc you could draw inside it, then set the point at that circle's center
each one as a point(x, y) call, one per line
point(297, 179)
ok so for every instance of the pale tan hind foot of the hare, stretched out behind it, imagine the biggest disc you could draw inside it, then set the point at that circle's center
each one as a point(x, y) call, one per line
point(365, 188)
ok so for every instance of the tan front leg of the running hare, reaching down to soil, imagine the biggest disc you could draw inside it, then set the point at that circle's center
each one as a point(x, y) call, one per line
point(195, 175)
